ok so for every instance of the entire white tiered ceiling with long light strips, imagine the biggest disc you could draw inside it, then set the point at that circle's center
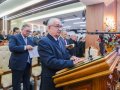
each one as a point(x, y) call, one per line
point(12, 4)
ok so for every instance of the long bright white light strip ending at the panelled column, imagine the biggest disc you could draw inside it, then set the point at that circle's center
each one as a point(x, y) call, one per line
point(56, 13)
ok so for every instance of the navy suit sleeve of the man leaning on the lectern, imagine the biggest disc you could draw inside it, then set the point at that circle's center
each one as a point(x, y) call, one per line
point(49, 59)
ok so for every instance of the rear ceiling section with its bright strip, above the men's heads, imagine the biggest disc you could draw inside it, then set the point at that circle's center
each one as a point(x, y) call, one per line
point(73, 14)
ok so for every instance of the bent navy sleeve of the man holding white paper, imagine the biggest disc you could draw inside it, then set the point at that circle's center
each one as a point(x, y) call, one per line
point(14, 47)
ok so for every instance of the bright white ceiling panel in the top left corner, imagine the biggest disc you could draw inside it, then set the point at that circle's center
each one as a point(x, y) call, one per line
point(10, 6)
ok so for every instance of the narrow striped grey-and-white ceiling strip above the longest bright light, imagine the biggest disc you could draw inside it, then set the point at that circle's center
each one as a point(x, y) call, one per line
point(40, 8)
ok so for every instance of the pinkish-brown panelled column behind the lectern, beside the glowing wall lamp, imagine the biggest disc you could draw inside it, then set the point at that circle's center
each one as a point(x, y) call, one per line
point(95, 19)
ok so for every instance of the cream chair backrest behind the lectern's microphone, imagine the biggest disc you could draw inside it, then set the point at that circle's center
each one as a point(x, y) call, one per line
point(92, 51)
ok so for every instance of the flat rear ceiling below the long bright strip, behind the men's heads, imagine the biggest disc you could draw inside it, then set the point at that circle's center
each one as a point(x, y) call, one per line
point(68, 20)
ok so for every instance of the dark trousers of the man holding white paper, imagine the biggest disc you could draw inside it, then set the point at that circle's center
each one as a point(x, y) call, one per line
point(23, 76)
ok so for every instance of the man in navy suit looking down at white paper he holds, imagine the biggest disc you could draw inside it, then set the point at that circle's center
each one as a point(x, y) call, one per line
point(20, 61)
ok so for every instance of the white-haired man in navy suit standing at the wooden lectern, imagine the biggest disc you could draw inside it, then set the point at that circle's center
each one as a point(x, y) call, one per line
point(53, 55)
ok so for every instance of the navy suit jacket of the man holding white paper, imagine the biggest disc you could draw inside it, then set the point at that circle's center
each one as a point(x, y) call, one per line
point(19, 56)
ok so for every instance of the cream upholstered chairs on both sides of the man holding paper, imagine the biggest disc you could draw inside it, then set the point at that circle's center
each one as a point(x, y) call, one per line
point(5, 72)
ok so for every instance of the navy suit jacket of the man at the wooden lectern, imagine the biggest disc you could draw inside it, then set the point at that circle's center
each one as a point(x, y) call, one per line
point(53, 56)
